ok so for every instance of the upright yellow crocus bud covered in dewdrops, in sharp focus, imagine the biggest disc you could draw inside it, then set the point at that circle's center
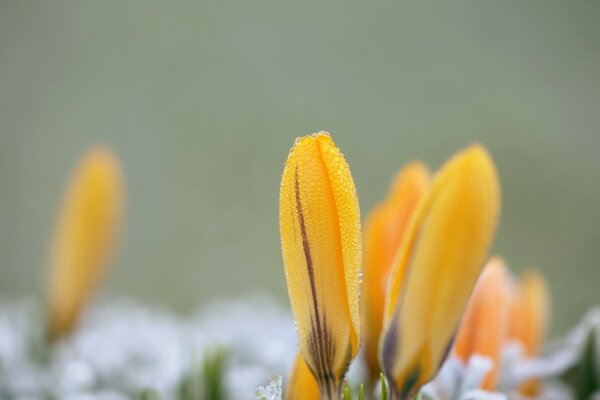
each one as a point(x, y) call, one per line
point(319, 222)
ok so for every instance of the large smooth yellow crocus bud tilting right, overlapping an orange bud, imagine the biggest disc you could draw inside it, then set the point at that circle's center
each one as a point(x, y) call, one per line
point(436, 269)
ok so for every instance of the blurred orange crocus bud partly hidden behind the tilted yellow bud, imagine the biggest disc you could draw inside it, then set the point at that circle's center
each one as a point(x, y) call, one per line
point(383, 233)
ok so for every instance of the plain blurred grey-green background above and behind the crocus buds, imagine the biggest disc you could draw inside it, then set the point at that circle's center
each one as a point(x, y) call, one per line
point(202, 101)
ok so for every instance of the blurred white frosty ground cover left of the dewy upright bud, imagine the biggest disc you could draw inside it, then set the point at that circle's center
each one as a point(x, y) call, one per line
point(122, 348)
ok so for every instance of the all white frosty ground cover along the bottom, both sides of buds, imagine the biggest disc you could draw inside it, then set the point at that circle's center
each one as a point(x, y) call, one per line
point(123, 348)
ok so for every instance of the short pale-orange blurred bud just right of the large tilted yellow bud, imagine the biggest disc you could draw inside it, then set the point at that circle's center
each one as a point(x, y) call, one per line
point(484, 327)
